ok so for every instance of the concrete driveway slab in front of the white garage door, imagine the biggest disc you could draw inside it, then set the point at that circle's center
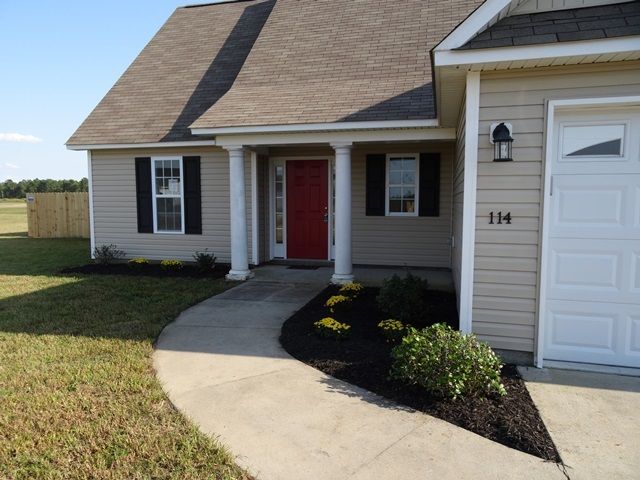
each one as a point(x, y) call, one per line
point(593, 418)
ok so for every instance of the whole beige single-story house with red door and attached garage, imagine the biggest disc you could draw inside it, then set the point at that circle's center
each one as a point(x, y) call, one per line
point(498, 139)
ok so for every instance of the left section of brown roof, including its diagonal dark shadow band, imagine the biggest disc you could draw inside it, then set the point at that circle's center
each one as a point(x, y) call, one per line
point(189, 64)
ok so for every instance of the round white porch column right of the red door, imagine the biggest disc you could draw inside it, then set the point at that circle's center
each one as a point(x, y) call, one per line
point(343, 265)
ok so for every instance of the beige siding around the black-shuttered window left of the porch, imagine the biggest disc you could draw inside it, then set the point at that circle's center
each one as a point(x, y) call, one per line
point(114, 195)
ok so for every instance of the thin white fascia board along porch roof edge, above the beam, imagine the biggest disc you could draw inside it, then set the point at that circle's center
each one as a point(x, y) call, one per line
point(316, 127)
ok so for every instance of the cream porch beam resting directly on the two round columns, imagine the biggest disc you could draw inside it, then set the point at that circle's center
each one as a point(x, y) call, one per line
point(409, 135)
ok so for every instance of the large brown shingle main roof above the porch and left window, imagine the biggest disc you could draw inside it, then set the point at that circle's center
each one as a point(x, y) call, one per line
point(265, 62)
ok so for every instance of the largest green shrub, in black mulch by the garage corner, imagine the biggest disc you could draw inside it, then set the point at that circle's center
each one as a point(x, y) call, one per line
point(447, 363)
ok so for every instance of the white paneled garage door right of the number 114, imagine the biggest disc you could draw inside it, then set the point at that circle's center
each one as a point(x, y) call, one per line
point(593, 267)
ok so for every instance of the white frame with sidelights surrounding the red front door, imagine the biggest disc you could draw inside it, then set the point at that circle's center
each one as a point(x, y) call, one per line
point(282, 160)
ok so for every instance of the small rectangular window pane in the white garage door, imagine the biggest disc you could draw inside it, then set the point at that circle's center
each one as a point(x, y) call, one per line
point(592, 140)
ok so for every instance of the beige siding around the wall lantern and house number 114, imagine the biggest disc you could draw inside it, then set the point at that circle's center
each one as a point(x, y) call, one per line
point(506, 256)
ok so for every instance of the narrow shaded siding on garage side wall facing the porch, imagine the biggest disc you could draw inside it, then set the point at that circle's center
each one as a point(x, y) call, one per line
point(458, 203)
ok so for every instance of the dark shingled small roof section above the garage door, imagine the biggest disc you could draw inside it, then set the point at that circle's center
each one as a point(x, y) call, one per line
point(606, 21)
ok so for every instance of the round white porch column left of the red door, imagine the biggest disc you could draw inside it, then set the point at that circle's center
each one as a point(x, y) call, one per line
point(238, 216)
